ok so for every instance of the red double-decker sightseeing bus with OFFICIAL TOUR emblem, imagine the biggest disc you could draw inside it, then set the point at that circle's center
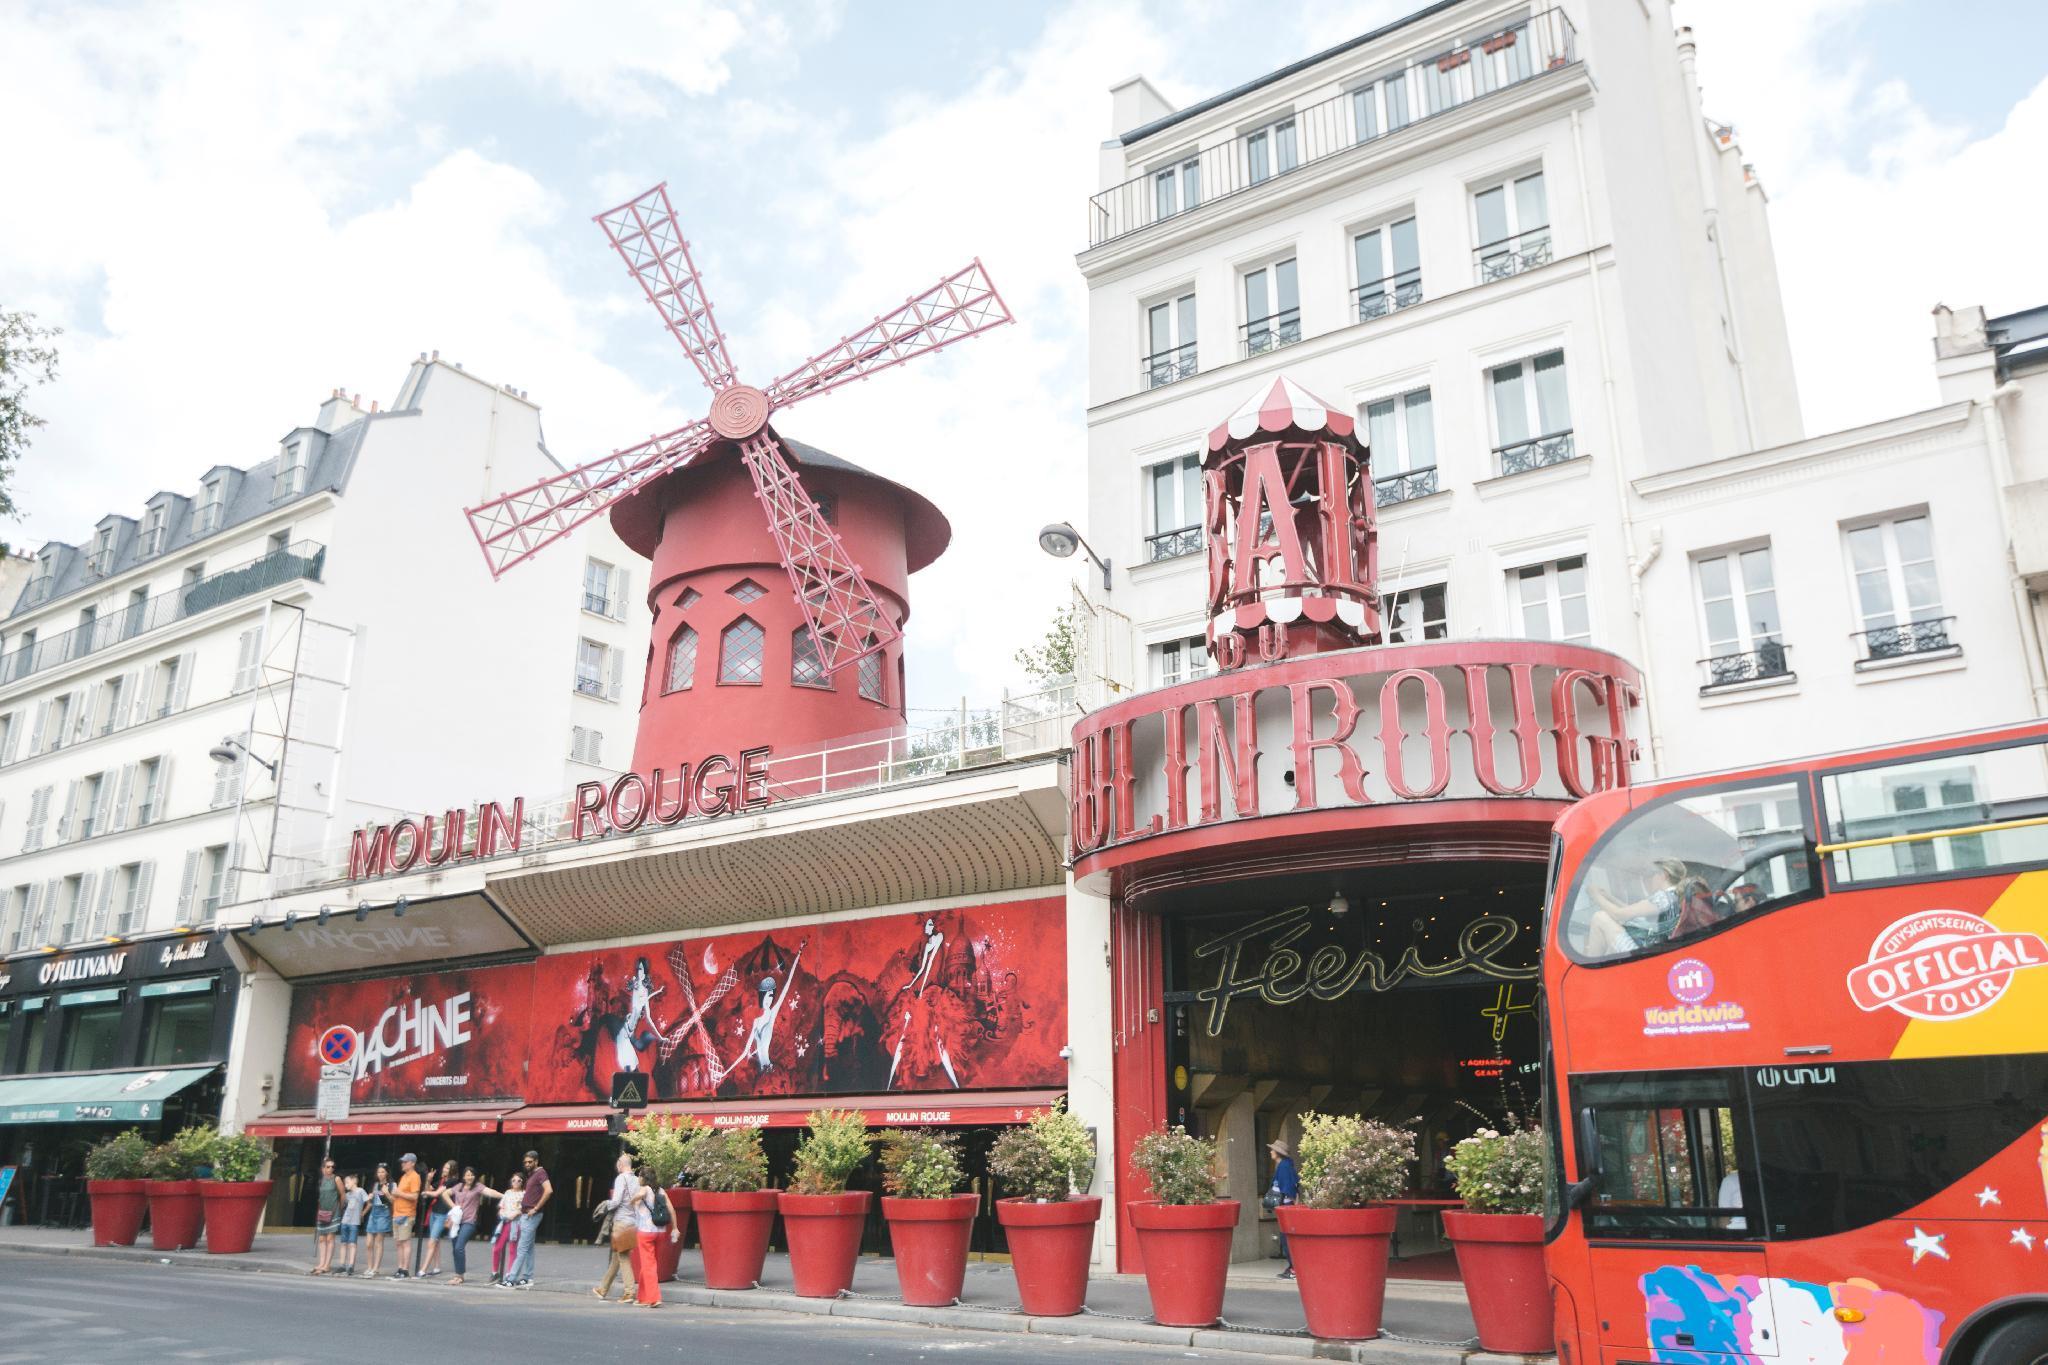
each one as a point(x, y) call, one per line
point(1797, 1039)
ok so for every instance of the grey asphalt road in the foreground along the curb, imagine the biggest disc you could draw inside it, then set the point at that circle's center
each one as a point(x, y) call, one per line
point(69, 1309)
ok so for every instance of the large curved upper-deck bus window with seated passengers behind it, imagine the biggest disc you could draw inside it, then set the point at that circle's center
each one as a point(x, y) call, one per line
point(1689, 865)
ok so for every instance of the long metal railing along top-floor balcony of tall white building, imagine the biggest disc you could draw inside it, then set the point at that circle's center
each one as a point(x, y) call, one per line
point(1431, 83)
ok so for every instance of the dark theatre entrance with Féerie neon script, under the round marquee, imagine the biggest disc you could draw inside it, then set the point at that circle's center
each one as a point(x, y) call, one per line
point(1402, 994)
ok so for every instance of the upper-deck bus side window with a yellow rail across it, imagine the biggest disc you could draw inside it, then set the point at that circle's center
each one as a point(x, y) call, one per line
point(1951, 791)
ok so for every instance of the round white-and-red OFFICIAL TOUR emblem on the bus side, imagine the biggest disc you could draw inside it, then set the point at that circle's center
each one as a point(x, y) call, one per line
point(1943, 965)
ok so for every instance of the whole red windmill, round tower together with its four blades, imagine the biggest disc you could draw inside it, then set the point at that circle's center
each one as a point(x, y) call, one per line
point(779, 599)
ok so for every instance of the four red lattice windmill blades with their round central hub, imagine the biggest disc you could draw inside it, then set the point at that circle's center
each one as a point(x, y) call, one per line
point(841, 609)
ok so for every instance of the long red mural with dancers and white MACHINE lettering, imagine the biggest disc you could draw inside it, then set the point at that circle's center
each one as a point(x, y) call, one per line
point(943, 1002)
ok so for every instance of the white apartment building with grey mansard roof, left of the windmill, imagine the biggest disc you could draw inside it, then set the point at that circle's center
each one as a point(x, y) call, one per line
point(232, 676)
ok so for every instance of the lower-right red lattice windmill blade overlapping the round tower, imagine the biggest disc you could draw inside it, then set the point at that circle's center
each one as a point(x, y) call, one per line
point(839, 605)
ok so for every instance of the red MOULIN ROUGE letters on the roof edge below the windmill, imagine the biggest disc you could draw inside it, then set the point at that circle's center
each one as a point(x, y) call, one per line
point(703, 791)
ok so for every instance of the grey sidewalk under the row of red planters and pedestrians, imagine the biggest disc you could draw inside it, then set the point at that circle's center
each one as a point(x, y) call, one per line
point(1426, 1323)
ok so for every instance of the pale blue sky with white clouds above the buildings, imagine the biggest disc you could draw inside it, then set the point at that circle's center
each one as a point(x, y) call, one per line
point(230, 210)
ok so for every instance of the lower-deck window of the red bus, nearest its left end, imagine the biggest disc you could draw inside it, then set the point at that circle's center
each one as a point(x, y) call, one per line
point(1668, 1157)
